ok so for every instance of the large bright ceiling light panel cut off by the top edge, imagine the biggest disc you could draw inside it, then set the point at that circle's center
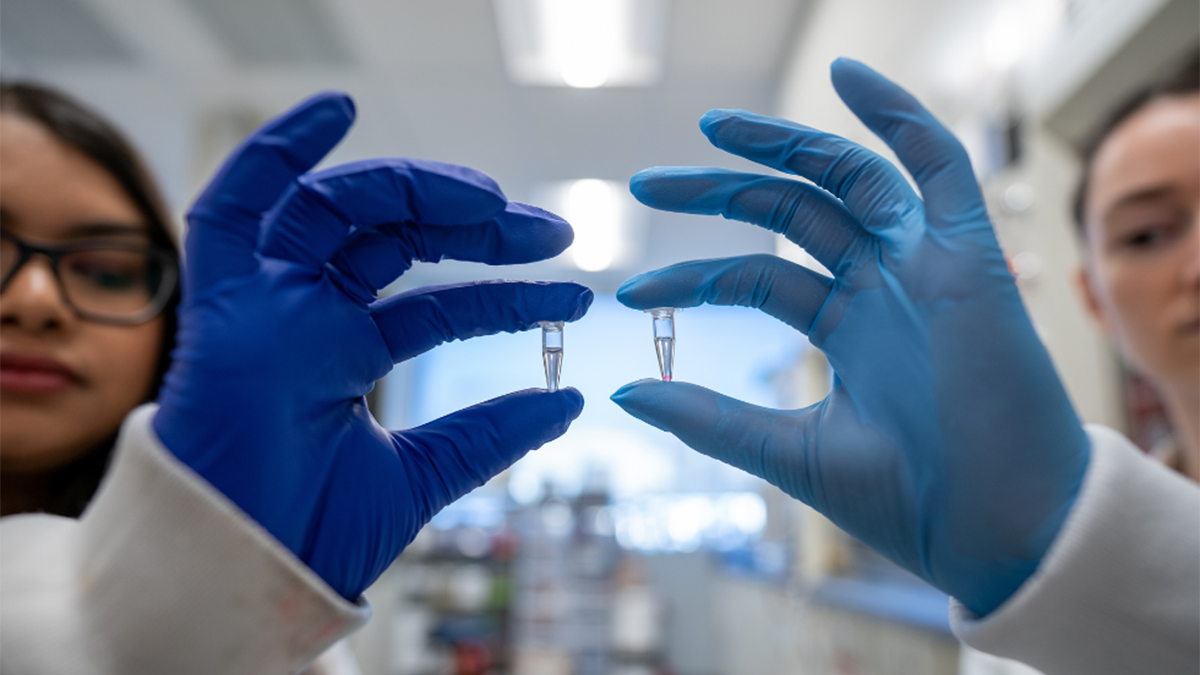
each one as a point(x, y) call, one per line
point(583, 44)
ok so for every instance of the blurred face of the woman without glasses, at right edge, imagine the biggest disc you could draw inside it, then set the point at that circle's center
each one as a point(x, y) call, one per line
point(1143, 231)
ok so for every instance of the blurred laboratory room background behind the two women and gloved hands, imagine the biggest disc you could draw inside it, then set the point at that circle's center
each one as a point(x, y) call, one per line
point(616, 549)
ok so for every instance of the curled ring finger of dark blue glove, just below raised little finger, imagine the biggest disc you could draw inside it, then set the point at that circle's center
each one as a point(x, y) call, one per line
point(319, 212)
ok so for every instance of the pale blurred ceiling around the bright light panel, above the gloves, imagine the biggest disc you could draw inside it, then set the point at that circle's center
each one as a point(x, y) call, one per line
point(188, 77)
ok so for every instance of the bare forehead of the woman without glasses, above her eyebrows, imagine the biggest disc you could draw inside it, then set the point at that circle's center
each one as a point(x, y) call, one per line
point(1157, 147)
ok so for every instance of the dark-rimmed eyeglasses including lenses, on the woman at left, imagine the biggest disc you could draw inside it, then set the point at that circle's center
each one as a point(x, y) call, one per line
point(106, 282)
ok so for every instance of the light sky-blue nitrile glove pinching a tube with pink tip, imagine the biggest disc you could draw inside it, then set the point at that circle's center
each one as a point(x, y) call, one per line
point(947, 444)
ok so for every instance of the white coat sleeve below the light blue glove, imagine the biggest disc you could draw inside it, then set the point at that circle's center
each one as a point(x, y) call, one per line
point(1119, 592)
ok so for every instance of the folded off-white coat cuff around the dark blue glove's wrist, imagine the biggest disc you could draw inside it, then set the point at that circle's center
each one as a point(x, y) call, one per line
point(161, 536)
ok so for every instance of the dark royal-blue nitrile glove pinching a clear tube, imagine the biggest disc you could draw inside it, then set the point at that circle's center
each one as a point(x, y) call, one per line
point(281, 338)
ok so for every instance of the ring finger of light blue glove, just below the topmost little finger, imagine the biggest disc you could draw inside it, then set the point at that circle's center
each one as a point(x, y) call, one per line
point(874, 190)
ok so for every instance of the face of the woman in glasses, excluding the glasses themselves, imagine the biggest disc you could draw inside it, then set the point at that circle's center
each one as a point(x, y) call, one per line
point(65, 384)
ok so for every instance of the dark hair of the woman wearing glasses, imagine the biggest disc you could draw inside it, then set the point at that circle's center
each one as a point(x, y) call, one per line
point(91, 134)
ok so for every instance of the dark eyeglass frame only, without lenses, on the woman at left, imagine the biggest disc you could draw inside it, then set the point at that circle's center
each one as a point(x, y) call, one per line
point(26, 252)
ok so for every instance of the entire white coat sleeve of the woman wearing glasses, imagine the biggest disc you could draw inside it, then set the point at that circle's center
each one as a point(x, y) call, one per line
point(161, 575)
